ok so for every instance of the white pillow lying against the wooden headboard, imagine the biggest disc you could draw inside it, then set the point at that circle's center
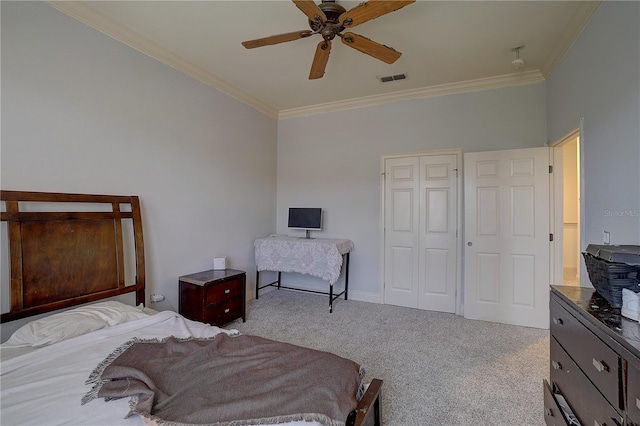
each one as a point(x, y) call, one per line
point(74, 322)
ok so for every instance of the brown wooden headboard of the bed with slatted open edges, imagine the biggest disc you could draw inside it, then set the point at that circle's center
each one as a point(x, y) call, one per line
point(68, 249)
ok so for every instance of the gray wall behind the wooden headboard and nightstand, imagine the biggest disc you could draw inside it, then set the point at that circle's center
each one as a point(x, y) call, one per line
point(84, 113)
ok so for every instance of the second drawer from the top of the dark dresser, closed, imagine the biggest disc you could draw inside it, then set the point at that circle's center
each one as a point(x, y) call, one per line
point(590, 407)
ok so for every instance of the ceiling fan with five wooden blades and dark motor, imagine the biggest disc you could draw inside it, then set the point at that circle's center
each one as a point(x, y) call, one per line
point(329, 19)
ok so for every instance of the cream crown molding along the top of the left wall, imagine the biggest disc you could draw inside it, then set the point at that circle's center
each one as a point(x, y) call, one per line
point(83, 12)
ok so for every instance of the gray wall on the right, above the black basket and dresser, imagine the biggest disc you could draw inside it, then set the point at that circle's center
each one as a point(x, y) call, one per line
point(599, 80)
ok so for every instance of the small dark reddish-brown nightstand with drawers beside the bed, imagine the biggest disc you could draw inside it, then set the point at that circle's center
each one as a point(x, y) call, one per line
point(215, 297)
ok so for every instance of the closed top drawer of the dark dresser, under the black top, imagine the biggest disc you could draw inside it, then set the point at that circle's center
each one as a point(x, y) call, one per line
point(599, 362)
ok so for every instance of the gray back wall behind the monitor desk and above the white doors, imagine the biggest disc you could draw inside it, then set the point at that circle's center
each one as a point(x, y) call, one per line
point(333, 160)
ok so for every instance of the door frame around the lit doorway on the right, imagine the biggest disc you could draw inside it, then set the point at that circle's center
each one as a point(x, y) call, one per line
point(556, 209)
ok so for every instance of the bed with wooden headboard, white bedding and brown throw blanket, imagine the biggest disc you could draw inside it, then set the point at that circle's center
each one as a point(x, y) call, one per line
point(91, 359)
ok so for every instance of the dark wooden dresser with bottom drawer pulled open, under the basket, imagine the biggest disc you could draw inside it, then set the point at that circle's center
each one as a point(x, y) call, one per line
point(594, 361)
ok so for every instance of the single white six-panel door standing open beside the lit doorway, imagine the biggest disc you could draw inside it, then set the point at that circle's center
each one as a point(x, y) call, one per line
point(507, 236)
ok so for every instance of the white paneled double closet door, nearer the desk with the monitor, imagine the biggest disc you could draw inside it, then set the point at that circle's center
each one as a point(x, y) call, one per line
point(420, 249)
